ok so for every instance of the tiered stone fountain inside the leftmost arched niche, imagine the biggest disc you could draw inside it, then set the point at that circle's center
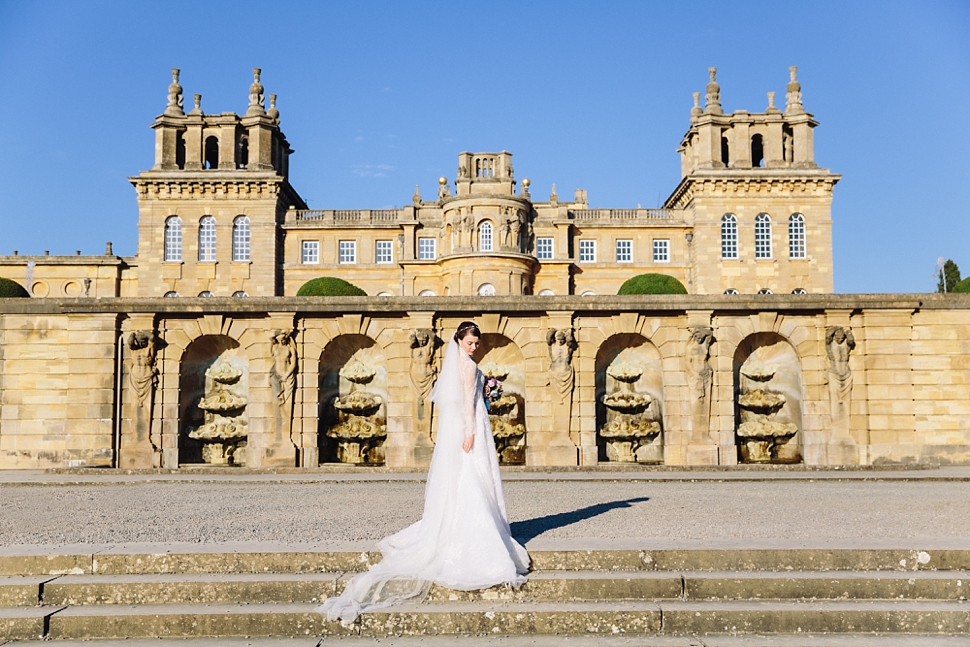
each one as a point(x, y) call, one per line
point(224, 429)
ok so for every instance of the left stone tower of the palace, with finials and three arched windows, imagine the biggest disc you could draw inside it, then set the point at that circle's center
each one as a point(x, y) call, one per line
point(212, 206)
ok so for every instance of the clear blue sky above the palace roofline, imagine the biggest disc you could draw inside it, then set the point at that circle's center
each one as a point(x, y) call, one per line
point(376, 97)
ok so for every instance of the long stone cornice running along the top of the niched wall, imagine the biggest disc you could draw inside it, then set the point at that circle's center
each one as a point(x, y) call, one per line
point(720, 304)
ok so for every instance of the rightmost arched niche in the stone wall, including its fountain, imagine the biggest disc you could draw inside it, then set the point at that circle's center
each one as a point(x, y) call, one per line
point(768, 396)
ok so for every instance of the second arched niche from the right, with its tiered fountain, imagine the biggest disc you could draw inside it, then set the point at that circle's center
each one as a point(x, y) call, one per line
point(629, 400)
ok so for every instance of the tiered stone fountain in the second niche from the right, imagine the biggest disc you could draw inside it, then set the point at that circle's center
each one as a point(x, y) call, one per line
point(632, 429)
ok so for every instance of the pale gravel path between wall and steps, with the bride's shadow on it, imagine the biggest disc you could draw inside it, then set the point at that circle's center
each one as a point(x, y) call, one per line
point(299, 512)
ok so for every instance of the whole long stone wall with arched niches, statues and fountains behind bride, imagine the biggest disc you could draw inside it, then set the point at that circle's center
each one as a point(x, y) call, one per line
point(823, 380)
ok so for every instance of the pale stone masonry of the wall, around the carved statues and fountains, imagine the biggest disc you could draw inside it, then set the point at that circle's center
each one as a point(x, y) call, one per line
point(64, 402)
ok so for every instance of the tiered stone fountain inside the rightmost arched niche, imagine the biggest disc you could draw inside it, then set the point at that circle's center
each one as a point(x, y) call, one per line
point(760, 432)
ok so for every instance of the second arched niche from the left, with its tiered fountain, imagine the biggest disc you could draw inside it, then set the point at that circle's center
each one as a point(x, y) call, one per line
point(353, 401)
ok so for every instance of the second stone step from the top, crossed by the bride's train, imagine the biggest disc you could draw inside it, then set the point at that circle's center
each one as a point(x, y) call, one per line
point(542, 586)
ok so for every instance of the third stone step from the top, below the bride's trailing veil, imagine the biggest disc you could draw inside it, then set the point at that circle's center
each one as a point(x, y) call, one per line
point(517, 618)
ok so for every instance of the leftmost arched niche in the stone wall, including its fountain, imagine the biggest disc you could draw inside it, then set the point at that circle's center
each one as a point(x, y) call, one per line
point(213, 399)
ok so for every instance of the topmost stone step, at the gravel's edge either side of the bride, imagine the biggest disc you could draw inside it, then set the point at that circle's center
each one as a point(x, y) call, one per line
point(213, 560)
